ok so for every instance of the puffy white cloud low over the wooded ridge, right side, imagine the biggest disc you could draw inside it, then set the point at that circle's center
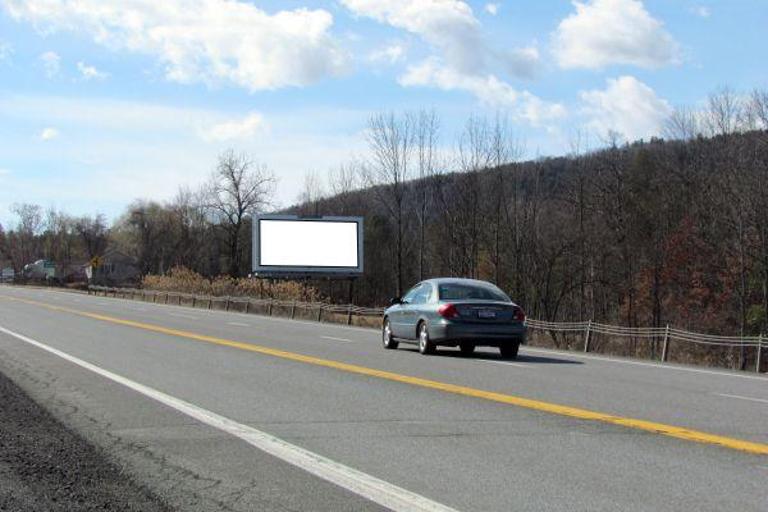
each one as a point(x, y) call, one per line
point(626, 106)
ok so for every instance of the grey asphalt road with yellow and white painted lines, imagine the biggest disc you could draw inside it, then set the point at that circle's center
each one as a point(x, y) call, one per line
point(447, 430)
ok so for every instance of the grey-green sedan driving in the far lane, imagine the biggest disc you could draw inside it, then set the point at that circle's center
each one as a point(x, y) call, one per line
point(452, 312)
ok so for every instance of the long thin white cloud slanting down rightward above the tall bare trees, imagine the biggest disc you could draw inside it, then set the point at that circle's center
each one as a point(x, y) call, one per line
point(488, 89)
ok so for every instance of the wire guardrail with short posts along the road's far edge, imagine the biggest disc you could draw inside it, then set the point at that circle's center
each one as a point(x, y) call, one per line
point(320, 310)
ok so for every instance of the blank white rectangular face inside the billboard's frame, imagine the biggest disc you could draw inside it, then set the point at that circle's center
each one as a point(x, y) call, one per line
point(296, 243)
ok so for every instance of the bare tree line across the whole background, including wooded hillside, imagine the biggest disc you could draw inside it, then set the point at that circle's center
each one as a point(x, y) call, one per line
point(673, 230)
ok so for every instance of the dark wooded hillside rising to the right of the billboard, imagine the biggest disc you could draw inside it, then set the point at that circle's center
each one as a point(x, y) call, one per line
point(643, 234)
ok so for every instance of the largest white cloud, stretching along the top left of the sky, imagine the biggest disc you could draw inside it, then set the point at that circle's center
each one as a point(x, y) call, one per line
point(209, 41)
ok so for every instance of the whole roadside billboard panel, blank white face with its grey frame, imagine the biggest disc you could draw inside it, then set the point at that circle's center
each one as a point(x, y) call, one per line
point(291, 245)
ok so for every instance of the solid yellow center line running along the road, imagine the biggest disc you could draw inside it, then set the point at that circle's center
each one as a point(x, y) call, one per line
point(536, 405)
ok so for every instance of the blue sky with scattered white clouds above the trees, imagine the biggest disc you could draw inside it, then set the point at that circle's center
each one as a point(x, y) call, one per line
point(106, 101)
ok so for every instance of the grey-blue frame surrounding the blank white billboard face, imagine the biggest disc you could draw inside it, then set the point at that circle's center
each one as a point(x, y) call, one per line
point(293, 272)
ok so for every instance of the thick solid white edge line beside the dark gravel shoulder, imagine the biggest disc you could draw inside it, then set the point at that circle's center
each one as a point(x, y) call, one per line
point(369, 487)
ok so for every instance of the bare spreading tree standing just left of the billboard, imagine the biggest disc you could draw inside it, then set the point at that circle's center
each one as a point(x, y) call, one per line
point(239, 187)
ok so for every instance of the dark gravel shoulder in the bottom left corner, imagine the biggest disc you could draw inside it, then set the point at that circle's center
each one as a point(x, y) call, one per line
point(46, 466)
